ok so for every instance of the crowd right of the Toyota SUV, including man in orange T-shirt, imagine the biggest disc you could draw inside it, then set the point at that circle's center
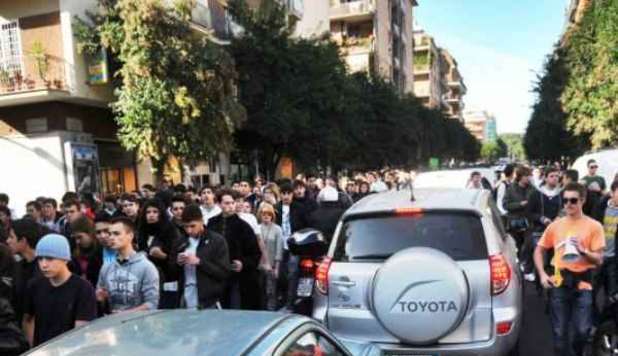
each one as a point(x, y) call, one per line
point(565, 230)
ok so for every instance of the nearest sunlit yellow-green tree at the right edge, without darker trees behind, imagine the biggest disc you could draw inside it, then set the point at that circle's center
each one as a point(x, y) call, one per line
point(591, 90)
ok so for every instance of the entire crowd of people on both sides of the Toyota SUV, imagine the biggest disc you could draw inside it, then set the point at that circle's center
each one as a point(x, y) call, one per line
point(66, 263)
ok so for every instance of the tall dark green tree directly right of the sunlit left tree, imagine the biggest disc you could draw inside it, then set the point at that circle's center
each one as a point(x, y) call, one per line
point(292, 88)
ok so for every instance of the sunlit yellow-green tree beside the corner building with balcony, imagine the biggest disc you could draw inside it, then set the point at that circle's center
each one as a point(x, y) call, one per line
point(174, 97)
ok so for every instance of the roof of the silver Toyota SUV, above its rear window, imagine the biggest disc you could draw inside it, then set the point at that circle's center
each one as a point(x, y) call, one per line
point(426, 198)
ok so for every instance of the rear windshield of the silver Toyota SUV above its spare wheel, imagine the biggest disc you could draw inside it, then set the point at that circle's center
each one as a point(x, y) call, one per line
point(378, 237)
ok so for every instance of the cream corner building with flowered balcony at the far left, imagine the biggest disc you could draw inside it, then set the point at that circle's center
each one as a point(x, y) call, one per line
point(57, 132)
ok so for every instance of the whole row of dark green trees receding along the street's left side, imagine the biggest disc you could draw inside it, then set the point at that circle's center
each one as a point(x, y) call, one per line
point(302, 103)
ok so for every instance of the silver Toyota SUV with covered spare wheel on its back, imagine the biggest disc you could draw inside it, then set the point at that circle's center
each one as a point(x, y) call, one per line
point(434, 274)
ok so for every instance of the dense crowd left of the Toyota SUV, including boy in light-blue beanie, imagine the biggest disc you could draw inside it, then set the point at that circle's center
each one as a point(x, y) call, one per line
point(66, 263)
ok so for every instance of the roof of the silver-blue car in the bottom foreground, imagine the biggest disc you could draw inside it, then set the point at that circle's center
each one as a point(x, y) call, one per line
point(169, 332)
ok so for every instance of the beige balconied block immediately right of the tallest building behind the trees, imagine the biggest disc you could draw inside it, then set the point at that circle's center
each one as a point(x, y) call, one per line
point(429, 71)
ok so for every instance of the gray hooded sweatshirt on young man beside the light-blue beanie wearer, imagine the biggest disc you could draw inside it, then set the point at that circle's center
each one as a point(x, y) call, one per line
point(130, 283)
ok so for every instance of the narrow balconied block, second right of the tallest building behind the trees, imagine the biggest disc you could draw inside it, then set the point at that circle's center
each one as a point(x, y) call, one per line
point(456, 89)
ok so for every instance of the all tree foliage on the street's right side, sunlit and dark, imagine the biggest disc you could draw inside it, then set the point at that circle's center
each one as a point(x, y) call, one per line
point(576, 107)
